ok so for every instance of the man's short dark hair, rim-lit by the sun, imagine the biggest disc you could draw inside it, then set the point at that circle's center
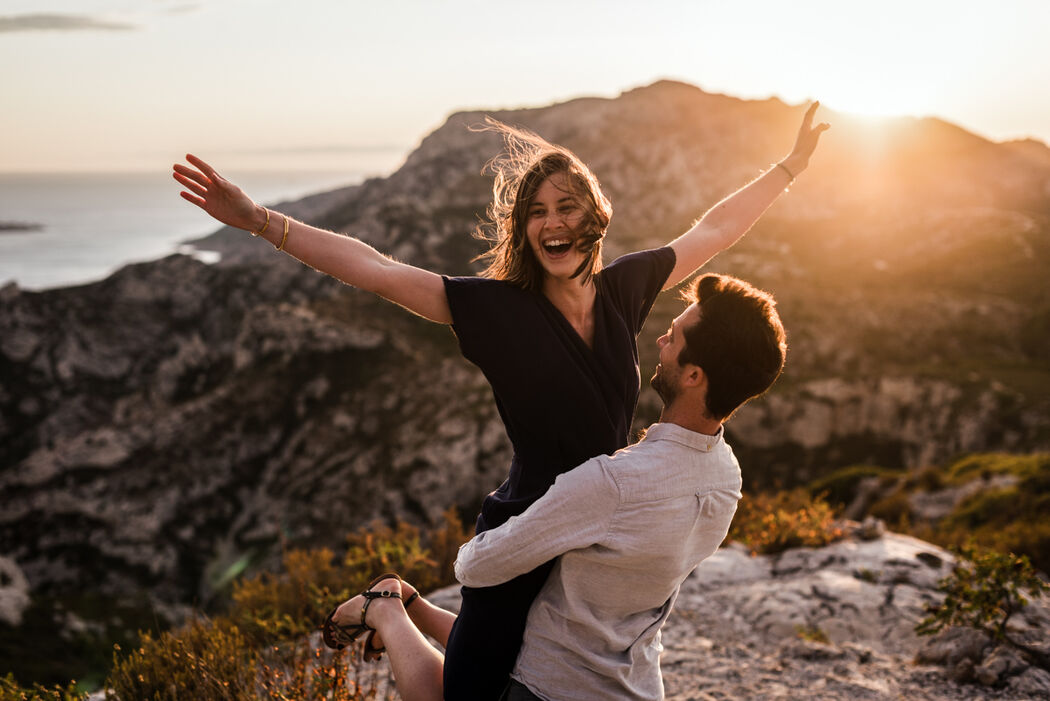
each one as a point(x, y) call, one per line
point(740, 342)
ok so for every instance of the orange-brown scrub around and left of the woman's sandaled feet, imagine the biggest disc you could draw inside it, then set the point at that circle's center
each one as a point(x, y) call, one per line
point(263, 649)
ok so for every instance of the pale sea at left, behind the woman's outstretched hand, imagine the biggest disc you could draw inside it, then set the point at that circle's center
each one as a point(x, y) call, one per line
point(93, 224)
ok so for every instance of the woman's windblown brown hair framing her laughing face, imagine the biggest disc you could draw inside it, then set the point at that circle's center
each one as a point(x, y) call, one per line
point(526, 163)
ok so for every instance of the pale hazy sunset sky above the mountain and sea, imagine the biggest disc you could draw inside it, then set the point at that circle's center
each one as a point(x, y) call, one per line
point(93, 86)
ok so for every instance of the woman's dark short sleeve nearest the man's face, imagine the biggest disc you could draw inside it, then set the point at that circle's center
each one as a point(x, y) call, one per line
point(633, 283)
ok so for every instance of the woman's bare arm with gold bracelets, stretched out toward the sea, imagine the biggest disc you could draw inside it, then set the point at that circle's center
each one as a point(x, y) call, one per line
point(346, 259)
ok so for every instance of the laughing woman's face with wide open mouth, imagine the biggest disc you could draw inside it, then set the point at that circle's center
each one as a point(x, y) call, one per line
point(552, 225)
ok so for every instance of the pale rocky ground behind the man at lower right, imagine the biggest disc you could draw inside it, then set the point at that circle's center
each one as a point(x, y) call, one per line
point(834, 623)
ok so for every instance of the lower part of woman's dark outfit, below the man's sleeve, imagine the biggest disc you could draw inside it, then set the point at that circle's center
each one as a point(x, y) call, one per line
point(487, 638)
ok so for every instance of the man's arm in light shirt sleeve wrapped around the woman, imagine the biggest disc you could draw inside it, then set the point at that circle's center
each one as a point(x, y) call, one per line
point(574, 514)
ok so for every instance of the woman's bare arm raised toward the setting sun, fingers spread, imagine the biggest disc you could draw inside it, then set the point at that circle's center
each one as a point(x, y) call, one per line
point(731, 219)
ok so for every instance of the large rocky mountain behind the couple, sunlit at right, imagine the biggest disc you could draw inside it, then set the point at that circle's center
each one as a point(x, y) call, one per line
point(178, 422)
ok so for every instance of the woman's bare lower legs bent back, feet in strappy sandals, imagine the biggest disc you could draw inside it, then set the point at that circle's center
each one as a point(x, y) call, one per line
point(417, 665)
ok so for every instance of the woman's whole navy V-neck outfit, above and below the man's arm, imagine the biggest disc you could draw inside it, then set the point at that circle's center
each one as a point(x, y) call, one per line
point(562, 403)
